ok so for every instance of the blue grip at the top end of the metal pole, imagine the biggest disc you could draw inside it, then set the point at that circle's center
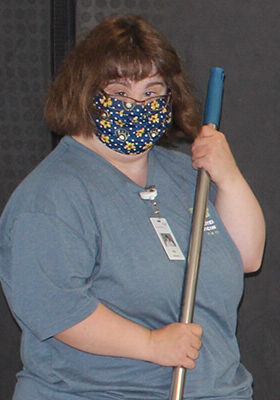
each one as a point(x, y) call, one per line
point(213, 104)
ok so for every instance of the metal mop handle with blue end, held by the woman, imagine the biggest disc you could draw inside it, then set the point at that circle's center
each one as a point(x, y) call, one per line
point(211, 117)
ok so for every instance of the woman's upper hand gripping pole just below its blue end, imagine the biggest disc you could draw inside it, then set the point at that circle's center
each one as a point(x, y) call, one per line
point(211, 151)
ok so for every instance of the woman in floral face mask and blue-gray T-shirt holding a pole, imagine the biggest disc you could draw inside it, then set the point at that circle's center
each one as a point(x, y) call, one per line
point(84, 266)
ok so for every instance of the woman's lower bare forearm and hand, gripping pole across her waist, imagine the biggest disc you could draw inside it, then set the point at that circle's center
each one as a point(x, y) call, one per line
point(106, 333)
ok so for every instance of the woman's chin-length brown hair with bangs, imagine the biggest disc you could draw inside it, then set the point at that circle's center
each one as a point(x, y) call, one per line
point(122, 46)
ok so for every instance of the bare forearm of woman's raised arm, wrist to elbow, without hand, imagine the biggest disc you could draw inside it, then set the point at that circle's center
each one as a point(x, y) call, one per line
point(243, 218)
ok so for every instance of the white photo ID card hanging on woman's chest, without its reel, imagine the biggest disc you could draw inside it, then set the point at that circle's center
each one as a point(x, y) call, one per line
point(167, 239)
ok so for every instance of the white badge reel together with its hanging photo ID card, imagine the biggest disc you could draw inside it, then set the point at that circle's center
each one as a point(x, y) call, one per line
point(160, 225)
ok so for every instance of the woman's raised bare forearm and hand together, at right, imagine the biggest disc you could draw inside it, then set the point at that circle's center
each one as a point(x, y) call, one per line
point(235, 201)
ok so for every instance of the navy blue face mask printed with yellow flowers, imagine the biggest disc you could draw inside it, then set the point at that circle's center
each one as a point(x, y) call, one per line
point(131, 127)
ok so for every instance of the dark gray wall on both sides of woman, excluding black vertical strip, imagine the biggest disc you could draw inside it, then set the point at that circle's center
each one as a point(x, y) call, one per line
point(242, 36)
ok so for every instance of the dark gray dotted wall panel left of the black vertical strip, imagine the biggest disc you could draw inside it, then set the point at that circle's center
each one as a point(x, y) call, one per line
point(24, 139)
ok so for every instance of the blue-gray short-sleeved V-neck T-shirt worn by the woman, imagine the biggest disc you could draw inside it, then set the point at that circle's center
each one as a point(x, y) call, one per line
point(76, 232)
